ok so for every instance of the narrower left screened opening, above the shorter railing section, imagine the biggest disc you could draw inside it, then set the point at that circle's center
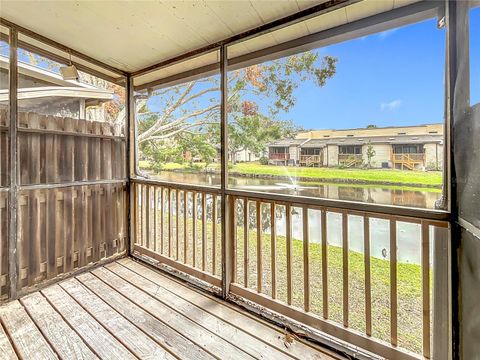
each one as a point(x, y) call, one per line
point(178, 128)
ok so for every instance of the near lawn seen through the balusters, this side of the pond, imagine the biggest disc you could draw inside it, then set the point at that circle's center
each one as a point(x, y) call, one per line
point(409, 280)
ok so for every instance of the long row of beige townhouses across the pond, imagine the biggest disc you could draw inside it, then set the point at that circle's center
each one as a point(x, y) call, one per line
point(405, 148)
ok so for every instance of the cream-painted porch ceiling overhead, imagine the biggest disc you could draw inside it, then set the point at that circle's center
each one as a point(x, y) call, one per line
point(132, 35)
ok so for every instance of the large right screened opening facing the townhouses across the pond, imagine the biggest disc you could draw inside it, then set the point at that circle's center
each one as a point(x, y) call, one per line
point(363, 88)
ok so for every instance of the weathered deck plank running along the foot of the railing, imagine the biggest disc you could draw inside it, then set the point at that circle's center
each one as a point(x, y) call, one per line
point(255, 327)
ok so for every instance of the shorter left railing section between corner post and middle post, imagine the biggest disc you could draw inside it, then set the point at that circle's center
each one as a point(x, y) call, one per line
point(179, 227)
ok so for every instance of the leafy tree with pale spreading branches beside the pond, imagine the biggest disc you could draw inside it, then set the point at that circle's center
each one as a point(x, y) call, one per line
point(256, 94)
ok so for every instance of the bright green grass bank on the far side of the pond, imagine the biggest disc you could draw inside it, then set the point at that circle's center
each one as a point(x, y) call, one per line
point(373, 176)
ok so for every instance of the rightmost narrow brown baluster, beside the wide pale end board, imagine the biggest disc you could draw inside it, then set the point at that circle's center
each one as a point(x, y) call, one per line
point(426, 287)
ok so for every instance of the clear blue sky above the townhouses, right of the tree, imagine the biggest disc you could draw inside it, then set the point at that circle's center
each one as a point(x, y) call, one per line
point(392, 78)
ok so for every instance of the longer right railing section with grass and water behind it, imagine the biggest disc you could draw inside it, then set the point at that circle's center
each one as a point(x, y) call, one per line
point(303, 262)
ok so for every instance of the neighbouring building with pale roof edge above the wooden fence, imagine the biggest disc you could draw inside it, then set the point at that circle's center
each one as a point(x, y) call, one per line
point(46, 93)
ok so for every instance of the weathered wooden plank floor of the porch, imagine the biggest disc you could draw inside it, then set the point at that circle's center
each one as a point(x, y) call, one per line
point(125, 310)
